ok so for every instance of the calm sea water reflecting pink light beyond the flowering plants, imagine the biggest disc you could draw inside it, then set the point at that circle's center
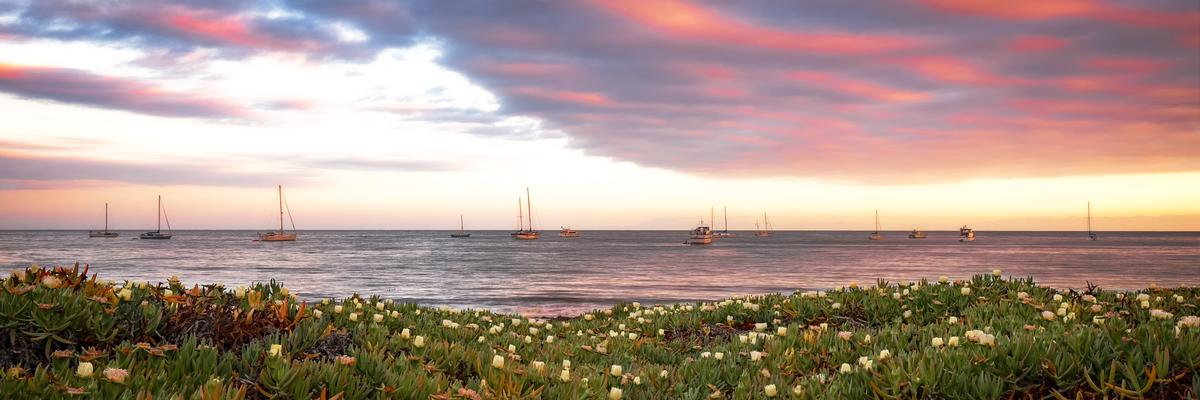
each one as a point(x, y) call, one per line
point(557, 276)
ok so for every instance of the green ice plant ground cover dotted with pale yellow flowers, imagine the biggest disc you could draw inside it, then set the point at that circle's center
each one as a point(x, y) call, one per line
point(65, 333)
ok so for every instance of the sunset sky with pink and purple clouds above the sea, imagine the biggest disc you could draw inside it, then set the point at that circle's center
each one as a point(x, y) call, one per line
point(616, 115)
